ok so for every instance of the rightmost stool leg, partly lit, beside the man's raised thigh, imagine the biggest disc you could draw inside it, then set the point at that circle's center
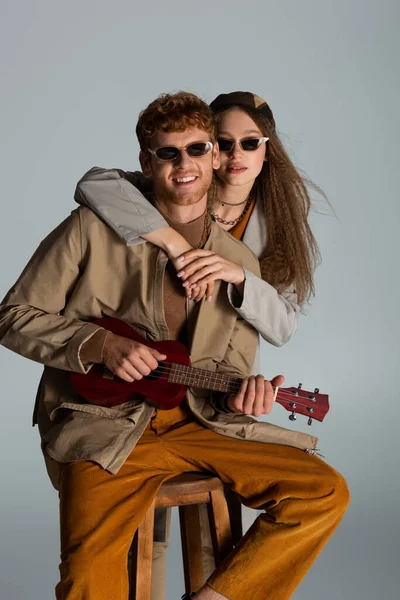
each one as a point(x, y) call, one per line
point(220, 525)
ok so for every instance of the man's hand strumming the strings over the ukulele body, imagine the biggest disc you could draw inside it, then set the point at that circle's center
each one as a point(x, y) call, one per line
point(128, 359)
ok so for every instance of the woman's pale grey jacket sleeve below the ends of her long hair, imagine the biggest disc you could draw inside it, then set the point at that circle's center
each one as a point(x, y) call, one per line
point(272, 314)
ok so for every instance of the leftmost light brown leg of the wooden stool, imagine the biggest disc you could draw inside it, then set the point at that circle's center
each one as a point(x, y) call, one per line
point(141, 558)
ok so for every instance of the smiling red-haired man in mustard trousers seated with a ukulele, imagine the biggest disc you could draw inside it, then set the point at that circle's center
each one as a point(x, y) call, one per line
point(108, 463)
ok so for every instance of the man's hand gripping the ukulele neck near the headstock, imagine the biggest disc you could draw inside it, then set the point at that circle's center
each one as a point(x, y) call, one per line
point(256, 395)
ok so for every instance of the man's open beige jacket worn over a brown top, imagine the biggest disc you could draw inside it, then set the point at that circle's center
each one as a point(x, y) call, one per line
point(46, 317)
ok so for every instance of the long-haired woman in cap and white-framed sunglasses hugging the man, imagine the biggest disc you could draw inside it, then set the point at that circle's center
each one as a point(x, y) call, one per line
point(260, 198)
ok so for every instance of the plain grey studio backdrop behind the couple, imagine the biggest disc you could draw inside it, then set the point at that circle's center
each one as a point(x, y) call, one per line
point(74, 76)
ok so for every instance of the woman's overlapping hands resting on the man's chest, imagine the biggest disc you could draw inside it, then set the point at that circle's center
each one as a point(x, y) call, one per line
point(199, 269)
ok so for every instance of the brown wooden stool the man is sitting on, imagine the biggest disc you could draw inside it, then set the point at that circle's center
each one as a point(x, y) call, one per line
point(187, 491)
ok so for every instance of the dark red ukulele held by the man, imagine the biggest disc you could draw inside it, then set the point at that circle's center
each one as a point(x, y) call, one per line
point(166, 386)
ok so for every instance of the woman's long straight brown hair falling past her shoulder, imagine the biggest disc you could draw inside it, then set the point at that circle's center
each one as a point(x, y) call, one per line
point(292, 254)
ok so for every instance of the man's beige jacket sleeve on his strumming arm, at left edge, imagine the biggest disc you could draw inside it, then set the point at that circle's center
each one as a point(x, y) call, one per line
point(31, 319)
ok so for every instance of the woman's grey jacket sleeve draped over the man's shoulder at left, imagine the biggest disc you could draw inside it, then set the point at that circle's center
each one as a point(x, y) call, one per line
point(114, 196)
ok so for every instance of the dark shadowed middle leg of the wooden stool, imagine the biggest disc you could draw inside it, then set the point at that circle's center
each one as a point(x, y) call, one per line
point(189, 519)
